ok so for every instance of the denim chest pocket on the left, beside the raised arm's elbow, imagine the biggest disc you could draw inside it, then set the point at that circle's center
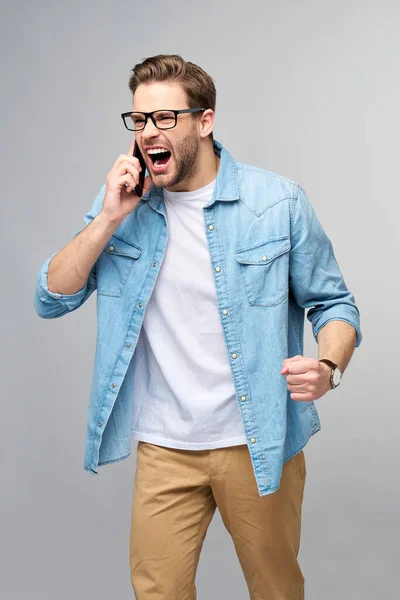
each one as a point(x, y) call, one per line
point(114, 265)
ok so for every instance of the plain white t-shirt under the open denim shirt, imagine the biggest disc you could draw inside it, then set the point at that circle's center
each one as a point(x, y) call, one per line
point(183, 386)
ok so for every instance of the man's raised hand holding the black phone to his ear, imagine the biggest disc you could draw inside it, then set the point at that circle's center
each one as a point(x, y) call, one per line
point(121, 199)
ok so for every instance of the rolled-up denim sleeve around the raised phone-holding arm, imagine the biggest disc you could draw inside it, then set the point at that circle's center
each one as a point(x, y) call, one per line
point(50, 305)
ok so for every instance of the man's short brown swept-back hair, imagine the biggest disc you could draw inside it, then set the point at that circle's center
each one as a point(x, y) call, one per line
point(197, 84)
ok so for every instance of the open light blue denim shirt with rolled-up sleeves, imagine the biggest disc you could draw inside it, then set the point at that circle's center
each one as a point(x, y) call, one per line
point(271, 260)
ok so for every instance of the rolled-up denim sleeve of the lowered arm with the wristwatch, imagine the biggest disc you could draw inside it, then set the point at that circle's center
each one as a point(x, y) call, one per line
point(315, 279)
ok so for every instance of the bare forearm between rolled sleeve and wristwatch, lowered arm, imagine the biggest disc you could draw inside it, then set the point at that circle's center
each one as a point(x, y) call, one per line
point(336, 341)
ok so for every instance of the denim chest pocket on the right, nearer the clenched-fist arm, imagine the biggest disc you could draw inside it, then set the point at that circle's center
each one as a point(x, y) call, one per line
point(264, 269)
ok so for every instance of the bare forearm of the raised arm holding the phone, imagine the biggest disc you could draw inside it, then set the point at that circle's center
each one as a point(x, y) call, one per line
point(69, 269)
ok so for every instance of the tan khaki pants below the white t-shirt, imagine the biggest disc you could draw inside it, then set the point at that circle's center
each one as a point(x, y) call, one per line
point(175, 496)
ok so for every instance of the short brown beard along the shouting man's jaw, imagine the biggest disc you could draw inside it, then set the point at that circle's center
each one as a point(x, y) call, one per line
point(185, 156)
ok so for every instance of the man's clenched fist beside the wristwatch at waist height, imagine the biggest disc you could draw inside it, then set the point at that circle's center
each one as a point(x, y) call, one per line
point(307, 378)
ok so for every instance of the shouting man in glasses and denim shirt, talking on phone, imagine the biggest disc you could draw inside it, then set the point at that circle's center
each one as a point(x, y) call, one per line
point(202, 284)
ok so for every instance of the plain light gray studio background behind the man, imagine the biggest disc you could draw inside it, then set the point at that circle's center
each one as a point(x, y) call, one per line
point(320, 83)
